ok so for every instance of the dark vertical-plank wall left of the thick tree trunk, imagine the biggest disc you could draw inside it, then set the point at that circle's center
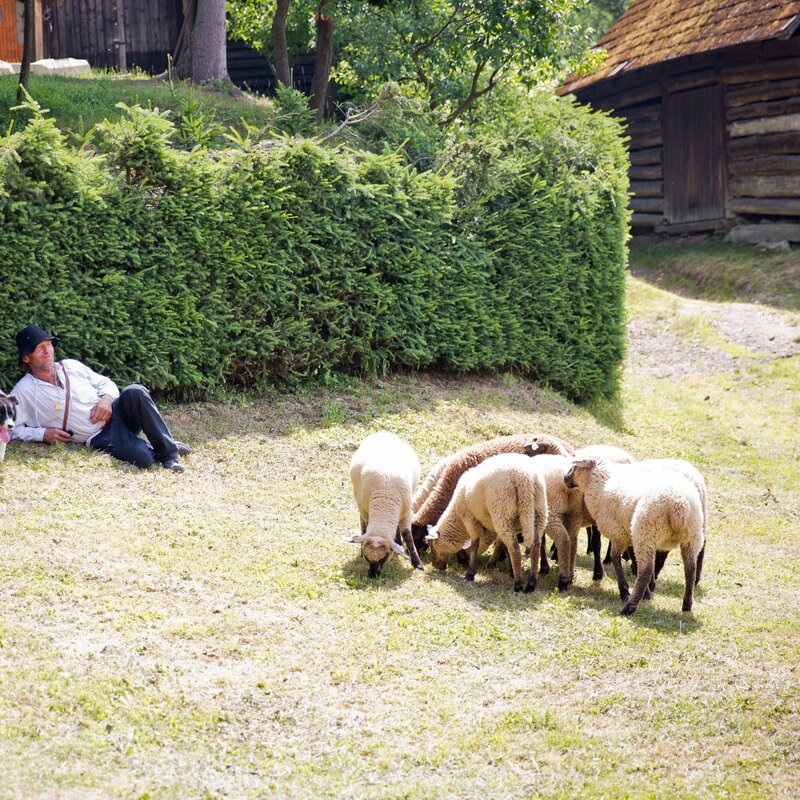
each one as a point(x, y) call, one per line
point(88, 29)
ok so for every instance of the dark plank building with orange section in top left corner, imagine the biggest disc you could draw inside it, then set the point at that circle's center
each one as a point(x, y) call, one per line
point(95, 30)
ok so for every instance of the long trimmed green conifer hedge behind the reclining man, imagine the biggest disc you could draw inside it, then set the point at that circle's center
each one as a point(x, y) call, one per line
point(191, 272)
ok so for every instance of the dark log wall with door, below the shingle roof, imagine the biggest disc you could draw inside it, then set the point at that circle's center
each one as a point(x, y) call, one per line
point(758, 136)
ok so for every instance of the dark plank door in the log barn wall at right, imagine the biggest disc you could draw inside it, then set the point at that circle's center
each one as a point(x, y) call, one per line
point(694, 155)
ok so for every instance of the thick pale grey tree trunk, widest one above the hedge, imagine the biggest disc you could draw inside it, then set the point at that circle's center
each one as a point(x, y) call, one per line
point(203, 57)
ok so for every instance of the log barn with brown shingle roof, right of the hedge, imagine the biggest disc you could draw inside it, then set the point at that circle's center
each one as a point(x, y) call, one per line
point(710, 90)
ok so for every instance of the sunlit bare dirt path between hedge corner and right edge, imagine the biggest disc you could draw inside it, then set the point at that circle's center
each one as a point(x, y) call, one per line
point(767, 334)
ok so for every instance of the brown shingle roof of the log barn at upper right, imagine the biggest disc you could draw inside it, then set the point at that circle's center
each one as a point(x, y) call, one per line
point(652, 31)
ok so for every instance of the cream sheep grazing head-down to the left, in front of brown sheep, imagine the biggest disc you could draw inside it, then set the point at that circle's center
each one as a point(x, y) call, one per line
point(502, 494)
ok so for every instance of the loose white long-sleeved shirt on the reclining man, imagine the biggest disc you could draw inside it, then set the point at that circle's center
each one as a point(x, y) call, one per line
point(40, 404)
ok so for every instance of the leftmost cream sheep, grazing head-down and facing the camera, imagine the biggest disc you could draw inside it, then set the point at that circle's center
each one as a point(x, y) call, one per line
point(384, 472)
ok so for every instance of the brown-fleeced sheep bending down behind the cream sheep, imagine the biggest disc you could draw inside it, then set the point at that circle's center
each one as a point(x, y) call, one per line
point(429, 511)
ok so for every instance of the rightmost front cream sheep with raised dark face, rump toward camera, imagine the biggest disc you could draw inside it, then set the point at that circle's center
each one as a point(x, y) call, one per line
point(649, 509)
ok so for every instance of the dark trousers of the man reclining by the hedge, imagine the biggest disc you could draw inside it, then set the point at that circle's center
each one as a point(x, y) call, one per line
point(133, 412)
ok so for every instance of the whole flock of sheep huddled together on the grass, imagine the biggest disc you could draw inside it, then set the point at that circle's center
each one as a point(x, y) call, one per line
point(521, 487)
